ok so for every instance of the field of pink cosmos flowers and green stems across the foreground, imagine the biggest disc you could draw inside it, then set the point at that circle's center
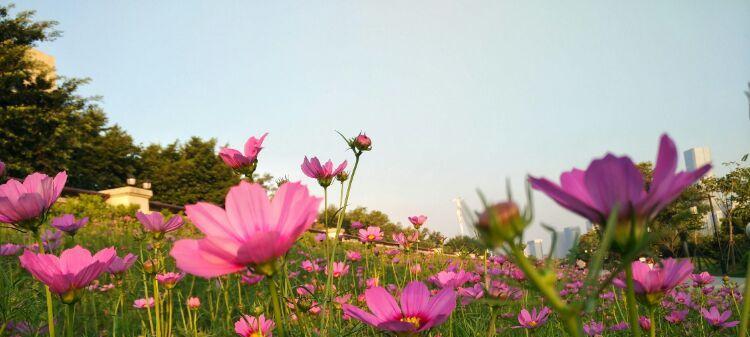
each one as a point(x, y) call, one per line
point(251, 267)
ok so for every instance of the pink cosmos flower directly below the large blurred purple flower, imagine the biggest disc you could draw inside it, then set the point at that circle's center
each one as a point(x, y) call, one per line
point(652, 282)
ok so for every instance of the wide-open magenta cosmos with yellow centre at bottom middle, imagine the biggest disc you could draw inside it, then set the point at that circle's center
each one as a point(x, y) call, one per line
point(418, 311)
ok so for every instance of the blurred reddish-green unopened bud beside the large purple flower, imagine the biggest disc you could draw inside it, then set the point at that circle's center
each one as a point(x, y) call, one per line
point(500, 223)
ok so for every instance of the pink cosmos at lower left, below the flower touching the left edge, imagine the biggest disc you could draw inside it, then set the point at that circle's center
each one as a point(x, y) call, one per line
point(75, 269)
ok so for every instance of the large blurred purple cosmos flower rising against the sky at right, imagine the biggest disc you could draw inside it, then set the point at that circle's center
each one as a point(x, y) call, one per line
point(615, 181)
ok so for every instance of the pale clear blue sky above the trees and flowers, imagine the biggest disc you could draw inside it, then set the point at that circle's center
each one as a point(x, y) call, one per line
point(455, 95)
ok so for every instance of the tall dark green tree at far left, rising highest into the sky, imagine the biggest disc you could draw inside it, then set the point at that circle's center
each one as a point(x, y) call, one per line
point(44, 124)
